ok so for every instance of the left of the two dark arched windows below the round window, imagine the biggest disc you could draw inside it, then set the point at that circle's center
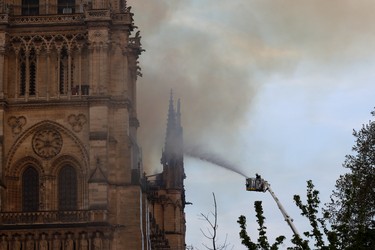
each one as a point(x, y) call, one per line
point(30, 189)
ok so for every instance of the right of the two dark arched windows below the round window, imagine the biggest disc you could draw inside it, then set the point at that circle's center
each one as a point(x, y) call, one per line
point(67, 188)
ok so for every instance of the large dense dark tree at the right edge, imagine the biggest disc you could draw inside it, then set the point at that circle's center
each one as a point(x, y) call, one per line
point(352, 206)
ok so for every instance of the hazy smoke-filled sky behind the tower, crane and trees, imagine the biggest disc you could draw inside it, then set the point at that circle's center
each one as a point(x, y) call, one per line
point(273, 87)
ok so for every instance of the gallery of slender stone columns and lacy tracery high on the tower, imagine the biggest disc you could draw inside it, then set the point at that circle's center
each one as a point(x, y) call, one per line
point(62, 53)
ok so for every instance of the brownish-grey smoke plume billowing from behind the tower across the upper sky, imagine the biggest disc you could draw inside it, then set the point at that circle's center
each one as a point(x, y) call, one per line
point(216, 55)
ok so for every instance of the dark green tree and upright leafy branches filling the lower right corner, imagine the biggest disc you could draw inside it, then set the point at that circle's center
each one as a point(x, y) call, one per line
point(350, 213)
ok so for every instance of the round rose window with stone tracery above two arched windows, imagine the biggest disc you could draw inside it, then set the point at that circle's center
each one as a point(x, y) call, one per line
point(47, 143)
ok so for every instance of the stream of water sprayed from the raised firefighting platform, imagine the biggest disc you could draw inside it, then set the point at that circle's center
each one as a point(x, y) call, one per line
point(198, 153)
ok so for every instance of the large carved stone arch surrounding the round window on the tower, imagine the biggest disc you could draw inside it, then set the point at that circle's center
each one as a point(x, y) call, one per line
point(81, 153)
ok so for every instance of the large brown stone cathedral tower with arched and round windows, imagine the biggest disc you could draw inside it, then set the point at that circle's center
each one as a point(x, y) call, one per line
point(68, 119)
